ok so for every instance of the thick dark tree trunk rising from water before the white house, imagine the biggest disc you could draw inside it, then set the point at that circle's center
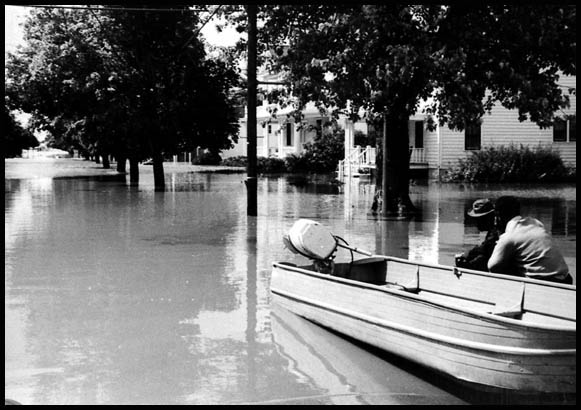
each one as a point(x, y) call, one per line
point(393, 198)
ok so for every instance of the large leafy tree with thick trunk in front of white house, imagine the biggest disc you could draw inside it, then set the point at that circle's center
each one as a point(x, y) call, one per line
point(387, 58)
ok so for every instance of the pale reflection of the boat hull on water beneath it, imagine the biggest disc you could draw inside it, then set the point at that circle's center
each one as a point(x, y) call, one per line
point(345, 373)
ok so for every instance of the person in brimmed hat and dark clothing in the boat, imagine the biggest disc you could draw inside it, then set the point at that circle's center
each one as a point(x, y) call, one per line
point(477, 258)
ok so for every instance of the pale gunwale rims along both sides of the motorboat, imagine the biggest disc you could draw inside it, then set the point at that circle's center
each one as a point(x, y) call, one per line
point(460, 309)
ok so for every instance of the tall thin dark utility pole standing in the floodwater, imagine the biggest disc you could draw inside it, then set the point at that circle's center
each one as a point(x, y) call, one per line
point(251, 180)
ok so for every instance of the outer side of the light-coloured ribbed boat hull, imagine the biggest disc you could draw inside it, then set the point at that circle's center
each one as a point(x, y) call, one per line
point(477, 348)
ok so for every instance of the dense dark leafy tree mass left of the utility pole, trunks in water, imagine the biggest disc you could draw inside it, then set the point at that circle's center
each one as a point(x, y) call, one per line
point(135, 83)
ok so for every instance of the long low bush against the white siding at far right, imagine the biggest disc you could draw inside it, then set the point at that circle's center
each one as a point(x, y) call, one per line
point(510, 164)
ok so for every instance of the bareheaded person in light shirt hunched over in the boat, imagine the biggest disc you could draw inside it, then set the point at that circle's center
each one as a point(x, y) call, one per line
point(525, 248)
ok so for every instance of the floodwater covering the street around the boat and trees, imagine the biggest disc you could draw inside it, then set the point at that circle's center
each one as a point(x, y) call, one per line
point(122, 295)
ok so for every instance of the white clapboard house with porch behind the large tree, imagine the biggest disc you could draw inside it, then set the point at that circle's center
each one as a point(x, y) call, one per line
point(434, 151)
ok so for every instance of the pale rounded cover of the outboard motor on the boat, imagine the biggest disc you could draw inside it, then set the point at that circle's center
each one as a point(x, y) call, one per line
point(312, 239)
